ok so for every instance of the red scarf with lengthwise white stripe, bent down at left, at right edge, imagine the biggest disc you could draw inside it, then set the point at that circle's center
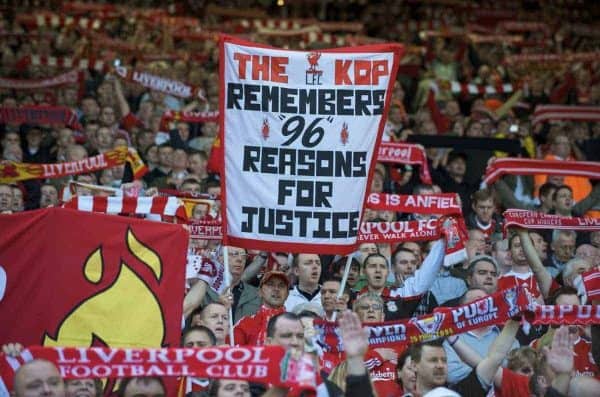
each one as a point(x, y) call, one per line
point(518, 166)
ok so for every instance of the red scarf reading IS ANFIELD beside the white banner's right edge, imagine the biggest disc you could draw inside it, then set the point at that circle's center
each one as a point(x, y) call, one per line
point(440, 204)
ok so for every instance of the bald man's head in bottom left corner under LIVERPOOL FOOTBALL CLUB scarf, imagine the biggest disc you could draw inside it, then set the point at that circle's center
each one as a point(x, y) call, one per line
point(39, 378)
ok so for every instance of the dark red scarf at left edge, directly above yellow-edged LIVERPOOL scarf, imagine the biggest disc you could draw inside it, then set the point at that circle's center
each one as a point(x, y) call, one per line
point(31, 114)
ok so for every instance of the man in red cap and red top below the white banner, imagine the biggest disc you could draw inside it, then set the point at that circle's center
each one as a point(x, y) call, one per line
point(273, 291)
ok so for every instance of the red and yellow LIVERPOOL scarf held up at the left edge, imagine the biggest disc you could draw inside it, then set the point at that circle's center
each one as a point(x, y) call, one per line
point(11, 172)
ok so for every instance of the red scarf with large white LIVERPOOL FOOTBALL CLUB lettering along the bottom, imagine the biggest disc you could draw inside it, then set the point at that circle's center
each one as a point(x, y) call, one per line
point(270, 365)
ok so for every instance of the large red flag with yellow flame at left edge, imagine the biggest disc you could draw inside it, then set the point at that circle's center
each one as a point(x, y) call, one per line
point(85, 279)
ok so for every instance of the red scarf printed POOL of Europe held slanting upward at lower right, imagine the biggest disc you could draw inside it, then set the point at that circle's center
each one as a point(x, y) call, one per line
point(491, 310)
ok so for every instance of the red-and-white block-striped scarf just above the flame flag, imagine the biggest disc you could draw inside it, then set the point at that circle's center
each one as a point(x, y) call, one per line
point(164, 206)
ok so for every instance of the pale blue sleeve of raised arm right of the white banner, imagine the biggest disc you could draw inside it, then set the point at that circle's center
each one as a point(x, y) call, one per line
point(424, 277)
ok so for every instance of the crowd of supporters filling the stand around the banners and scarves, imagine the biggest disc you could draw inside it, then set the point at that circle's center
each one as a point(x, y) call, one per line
point(462, 92)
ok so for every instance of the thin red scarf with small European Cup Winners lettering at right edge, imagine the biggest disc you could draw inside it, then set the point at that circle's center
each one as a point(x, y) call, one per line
point(539, 220)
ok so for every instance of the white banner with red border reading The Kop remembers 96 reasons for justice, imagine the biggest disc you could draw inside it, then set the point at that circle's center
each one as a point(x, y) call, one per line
point(300, 131)
